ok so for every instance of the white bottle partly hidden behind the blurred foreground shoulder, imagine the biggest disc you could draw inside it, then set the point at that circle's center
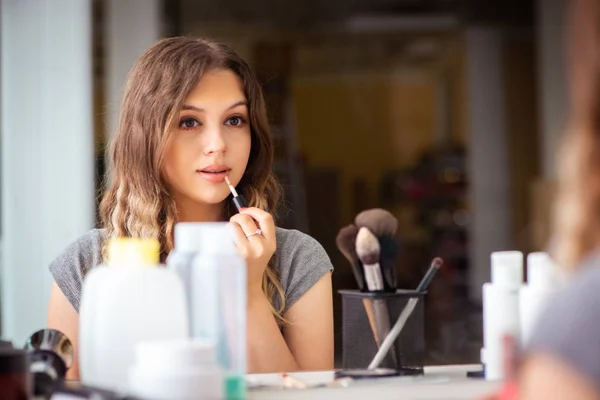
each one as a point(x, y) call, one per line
point(541, 285)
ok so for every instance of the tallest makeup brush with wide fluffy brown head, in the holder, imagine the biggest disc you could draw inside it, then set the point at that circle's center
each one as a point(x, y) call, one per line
point(383, 225)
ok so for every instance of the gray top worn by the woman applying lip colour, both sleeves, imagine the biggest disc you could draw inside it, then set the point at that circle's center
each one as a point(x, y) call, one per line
point(301, 262)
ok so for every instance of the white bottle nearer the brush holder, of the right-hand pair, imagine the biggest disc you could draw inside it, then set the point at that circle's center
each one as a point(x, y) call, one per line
point(501, 309)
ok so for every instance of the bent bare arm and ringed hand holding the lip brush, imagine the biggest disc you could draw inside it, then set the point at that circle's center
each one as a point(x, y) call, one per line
point(307, 339)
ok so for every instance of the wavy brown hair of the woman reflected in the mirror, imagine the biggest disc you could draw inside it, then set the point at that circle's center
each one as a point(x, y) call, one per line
point(138, 204)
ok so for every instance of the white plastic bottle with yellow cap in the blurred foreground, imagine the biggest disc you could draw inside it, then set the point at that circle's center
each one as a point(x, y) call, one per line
point(129, 301)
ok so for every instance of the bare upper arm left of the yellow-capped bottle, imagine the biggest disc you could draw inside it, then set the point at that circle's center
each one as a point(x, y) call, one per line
point(63, 317)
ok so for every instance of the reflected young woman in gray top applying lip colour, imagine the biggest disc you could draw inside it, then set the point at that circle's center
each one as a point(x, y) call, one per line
point(193, 113)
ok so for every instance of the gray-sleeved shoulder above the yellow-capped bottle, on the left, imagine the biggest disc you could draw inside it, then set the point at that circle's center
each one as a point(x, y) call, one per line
point(71, 265)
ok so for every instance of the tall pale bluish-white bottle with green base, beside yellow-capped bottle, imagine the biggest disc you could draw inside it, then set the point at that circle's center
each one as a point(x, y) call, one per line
point(218, 302)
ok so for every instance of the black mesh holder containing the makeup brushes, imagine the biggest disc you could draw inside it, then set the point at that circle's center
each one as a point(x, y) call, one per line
point(363, 316)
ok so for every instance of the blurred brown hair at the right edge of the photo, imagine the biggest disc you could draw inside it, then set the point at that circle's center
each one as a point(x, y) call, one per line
point(577, 222)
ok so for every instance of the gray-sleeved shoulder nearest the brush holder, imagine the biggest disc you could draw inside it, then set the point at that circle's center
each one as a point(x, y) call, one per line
point(301, 261)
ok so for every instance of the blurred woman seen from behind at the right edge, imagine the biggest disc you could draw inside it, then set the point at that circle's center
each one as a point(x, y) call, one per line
point(563, 359)
